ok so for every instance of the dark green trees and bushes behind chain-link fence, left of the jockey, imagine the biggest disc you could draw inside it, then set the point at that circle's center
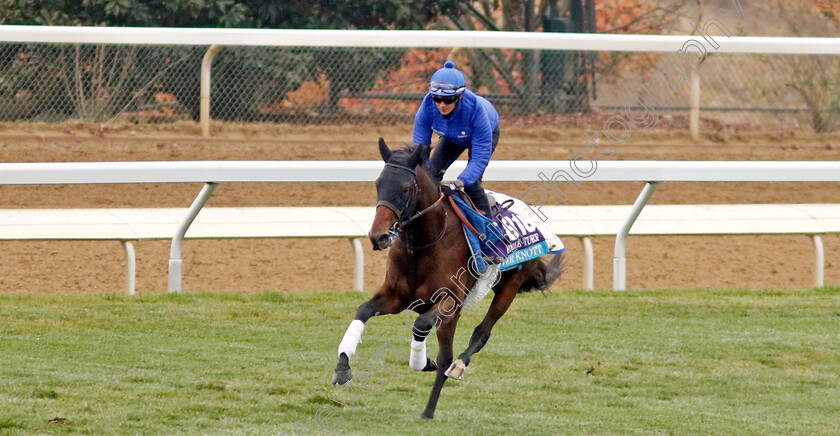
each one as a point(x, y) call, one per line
point(240, 77)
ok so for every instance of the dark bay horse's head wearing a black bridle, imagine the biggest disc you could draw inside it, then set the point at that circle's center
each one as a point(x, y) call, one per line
point(396, 192)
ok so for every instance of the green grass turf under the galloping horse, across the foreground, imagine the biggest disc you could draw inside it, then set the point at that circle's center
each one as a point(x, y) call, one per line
point(664, 362)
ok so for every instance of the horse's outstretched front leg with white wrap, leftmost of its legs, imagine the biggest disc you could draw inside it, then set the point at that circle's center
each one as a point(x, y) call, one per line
point(382, 303)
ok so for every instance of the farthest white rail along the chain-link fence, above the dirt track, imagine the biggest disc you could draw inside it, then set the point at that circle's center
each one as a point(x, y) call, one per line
point(216, 39)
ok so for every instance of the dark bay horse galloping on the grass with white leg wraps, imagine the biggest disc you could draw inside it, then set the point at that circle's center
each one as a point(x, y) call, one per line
point(428, 270)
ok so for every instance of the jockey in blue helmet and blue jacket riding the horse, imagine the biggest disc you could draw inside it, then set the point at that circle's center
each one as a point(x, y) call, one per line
point(463, 120)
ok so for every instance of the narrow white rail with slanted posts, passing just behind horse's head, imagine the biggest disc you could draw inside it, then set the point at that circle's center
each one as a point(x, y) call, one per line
point(549, 177)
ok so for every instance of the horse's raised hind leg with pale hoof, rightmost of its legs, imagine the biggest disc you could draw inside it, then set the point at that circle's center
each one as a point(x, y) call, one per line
point(501, 302)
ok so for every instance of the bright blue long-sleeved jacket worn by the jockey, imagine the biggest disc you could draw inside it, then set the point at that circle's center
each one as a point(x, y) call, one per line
point(470, 126)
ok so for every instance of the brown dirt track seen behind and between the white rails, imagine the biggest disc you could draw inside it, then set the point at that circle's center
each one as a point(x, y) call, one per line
point(326, 264)
